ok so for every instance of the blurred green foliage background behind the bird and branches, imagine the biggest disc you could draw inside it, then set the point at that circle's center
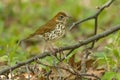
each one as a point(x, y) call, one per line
point(19, 18)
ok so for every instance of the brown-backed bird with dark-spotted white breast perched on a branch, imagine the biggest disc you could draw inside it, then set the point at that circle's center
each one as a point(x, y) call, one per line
point(53, 29)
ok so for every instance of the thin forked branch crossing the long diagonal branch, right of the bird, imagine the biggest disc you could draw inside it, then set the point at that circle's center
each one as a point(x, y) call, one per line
point(95, 17)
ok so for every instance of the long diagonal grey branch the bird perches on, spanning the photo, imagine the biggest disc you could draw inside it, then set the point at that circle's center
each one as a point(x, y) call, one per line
point(45, 54)
